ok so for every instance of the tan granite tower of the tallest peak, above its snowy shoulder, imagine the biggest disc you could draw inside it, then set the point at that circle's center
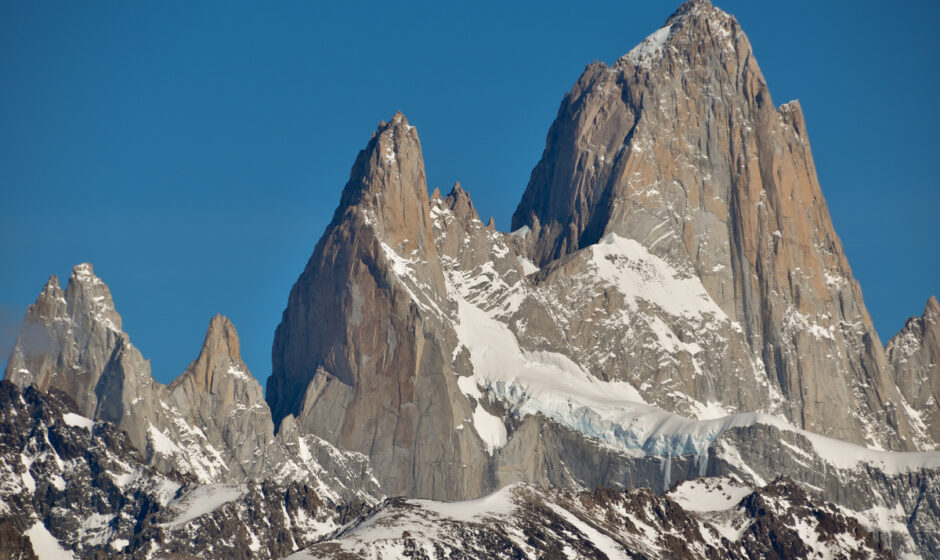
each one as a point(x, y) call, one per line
point(679, 148)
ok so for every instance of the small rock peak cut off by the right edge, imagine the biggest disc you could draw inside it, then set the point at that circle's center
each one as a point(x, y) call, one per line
point(914, 354)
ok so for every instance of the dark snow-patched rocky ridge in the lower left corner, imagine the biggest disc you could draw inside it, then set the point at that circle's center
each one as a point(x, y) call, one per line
point(72, 486)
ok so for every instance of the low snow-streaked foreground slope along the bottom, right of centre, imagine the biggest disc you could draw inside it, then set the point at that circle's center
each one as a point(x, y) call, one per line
point(523, 521)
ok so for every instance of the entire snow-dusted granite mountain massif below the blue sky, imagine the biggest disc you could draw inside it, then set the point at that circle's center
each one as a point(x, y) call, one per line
point(672, 318)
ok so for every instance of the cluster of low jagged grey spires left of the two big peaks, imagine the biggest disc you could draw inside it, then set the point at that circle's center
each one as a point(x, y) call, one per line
point(211, 423)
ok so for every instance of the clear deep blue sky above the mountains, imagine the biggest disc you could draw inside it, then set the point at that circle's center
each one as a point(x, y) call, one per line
point(195, 151)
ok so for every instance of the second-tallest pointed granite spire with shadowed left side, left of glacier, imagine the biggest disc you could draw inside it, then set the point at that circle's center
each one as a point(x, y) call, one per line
point(361, 356)
